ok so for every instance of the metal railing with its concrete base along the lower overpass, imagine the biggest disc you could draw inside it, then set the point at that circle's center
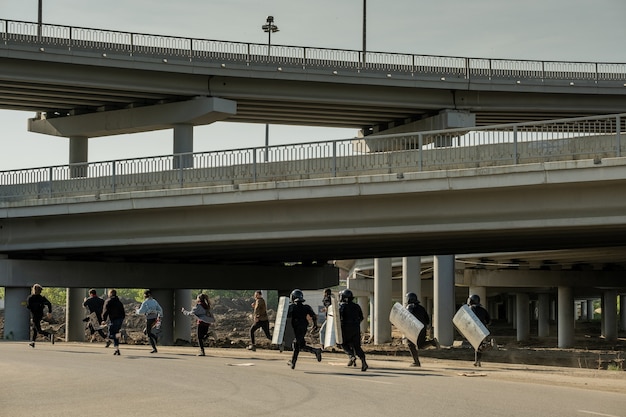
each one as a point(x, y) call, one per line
point(557, 140)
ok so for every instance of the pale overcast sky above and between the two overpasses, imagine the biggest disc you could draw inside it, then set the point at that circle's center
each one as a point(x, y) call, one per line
point(570, 30)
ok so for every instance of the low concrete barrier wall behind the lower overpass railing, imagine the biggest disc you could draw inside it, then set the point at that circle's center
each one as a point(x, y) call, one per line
point(440, 158)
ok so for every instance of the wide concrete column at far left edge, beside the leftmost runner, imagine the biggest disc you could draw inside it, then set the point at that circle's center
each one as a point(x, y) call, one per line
point(16, 315)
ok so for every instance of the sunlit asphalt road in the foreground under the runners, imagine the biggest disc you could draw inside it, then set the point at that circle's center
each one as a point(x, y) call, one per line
point(72, 379)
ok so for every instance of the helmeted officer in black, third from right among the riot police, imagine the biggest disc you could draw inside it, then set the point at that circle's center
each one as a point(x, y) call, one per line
point(351, 316)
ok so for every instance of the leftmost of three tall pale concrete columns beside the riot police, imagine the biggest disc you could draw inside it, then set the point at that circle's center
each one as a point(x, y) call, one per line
point(382, 300)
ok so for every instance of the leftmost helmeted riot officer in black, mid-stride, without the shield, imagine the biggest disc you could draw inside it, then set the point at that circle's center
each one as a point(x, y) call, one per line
point(299, 313)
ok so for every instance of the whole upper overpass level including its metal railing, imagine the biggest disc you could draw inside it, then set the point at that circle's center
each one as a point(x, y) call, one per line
point(75, 73)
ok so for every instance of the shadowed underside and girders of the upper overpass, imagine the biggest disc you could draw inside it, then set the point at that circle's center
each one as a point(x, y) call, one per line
point(59, 90)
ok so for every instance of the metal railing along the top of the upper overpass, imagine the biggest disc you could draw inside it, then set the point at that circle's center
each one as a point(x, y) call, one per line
point(194, 50)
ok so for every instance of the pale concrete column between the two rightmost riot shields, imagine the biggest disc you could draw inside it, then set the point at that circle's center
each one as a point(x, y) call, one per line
point(444, 306)
